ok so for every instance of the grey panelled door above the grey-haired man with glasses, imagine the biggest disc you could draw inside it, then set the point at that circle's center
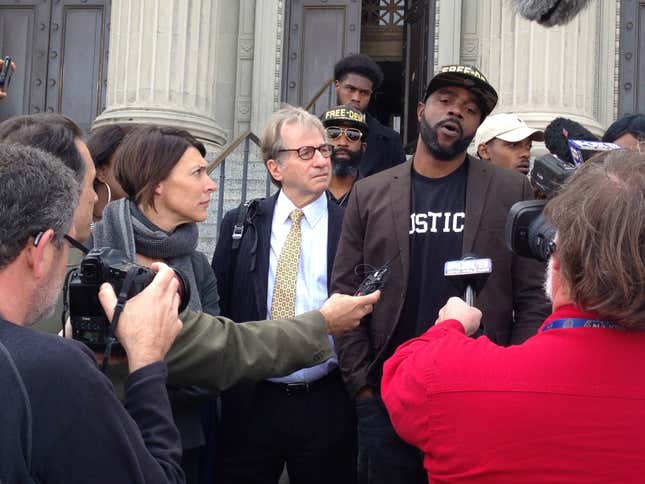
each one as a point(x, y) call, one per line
point(320, 32)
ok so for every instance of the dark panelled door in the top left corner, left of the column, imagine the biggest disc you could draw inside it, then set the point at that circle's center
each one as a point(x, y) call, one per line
point(60, 48)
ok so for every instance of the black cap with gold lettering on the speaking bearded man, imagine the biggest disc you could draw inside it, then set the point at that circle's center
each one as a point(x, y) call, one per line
point(465, 76)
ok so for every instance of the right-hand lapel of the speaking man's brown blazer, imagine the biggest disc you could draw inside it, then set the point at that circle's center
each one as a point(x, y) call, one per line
point(479, 176)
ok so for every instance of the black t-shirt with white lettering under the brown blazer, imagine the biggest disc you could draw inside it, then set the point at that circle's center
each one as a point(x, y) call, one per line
point(437, 221)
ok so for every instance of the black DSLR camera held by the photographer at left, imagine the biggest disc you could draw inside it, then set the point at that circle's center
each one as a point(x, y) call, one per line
point(89, 323)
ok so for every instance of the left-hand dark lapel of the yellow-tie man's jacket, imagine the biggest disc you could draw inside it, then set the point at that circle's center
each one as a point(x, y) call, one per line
point(263, 226)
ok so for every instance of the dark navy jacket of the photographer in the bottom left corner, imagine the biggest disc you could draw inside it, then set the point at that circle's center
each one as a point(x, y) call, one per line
point(62, 423)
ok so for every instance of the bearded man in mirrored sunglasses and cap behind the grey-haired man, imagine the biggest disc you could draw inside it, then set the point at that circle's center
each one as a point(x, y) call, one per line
point(347, 132)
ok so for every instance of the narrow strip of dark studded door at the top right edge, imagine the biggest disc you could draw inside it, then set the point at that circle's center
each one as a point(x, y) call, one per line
point(632, 57)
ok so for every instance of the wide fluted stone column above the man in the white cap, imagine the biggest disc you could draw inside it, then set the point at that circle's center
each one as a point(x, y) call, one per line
point(541, 73)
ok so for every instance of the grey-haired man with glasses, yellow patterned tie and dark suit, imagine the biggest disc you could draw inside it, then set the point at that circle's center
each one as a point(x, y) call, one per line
point(283, 267)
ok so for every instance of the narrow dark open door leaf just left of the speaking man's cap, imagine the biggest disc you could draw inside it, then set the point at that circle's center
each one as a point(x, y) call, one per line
point(418, 52)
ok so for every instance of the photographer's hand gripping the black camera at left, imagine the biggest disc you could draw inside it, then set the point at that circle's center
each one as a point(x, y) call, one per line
point(149, 322)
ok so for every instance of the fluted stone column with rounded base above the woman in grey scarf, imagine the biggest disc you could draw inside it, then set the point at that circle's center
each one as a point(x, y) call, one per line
point(162, 66)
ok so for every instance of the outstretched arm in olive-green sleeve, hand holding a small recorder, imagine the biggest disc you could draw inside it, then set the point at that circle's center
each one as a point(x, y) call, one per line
point(216, 353)
